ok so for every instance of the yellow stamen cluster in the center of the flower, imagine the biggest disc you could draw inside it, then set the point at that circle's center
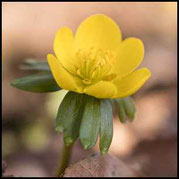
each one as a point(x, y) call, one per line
point(95, 65)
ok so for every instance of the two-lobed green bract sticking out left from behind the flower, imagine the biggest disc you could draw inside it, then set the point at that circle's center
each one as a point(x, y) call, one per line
point(40, 82)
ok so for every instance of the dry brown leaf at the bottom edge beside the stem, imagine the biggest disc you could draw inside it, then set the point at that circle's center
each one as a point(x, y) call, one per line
point(99, 166)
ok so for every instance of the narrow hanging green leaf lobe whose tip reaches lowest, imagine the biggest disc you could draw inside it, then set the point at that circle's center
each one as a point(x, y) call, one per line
point(106, 125)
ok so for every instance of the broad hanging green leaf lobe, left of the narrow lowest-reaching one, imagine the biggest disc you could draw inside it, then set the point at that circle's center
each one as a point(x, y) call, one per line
point(89, 128)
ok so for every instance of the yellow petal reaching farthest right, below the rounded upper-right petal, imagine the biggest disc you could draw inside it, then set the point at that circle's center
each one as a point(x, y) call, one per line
point(131, 83)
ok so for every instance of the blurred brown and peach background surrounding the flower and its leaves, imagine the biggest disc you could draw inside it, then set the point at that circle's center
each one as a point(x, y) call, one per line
point(148, 145)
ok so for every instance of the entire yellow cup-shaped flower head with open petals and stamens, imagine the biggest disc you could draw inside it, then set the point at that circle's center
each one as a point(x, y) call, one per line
point(96, 61)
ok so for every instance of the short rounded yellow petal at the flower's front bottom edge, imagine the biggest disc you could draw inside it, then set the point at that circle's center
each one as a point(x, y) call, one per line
point(101, 89)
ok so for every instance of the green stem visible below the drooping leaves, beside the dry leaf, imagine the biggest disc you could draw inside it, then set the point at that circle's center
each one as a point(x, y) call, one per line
point(64, 160)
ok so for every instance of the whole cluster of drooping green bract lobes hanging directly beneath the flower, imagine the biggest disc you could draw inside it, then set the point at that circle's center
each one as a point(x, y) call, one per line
point(84, 116)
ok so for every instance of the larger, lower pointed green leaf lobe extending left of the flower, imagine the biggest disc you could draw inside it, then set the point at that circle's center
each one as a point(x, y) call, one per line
point(39, 83)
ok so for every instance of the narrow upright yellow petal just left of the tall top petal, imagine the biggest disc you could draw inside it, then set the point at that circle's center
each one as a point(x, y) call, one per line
point(64, 48)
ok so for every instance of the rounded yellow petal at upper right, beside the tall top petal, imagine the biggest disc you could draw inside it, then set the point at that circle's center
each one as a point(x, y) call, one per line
point(128, 56)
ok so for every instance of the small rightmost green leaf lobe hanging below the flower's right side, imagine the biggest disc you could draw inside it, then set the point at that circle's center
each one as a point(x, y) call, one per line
point(129, 107)
